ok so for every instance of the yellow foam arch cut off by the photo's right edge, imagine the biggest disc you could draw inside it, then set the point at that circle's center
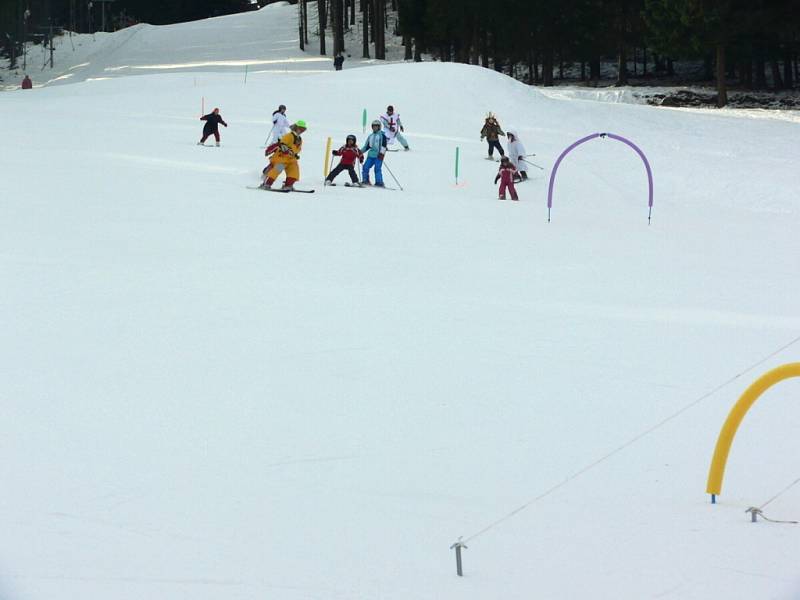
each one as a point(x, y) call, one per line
point(739, 410)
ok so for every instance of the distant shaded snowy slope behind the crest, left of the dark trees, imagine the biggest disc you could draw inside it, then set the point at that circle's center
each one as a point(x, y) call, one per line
point(263, 41)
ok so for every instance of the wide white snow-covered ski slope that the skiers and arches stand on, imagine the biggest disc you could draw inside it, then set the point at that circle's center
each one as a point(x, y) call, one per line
point(209, 391)
